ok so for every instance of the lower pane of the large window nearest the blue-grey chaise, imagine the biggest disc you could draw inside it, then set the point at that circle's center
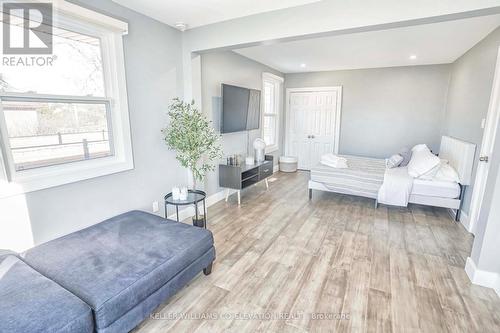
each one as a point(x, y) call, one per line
point(50, 133)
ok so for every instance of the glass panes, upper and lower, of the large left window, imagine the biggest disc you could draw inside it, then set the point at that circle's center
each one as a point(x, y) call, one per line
point(58, 114)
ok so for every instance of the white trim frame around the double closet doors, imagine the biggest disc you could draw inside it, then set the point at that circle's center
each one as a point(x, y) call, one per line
point(338, 112)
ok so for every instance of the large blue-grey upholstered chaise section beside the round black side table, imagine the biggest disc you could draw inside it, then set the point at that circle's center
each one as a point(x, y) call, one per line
point(124, 267)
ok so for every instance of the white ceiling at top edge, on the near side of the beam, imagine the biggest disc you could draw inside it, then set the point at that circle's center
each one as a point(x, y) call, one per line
point(196, 13)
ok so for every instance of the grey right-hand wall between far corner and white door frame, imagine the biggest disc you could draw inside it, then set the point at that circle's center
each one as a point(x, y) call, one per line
point(469, 95)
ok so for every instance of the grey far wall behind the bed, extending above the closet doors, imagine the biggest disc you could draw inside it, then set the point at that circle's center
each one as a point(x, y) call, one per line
point(385, 109)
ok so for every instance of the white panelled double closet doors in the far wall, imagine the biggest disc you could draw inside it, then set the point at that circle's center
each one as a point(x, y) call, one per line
point(313, 125)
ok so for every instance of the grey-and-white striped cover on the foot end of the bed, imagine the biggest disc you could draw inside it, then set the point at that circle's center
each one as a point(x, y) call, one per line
point(363, 177)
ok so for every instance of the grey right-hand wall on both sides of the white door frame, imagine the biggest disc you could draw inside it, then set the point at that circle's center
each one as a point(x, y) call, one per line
point(469, 97)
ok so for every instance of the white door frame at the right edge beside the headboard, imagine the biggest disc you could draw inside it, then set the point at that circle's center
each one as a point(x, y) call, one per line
point(487, 145)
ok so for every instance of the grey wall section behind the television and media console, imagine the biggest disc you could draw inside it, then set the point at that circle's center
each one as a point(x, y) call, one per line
point(229, 67)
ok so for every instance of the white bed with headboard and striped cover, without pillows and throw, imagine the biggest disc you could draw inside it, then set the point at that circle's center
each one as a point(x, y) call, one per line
point(367, 175)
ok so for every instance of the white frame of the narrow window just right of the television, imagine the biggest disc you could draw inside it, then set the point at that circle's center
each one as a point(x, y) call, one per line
point(277, 81)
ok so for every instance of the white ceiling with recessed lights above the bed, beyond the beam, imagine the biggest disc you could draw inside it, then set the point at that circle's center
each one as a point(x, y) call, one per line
point(436, 43)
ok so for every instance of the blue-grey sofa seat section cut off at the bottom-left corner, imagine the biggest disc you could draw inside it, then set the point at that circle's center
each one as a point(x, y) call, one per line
point(29, 302)
